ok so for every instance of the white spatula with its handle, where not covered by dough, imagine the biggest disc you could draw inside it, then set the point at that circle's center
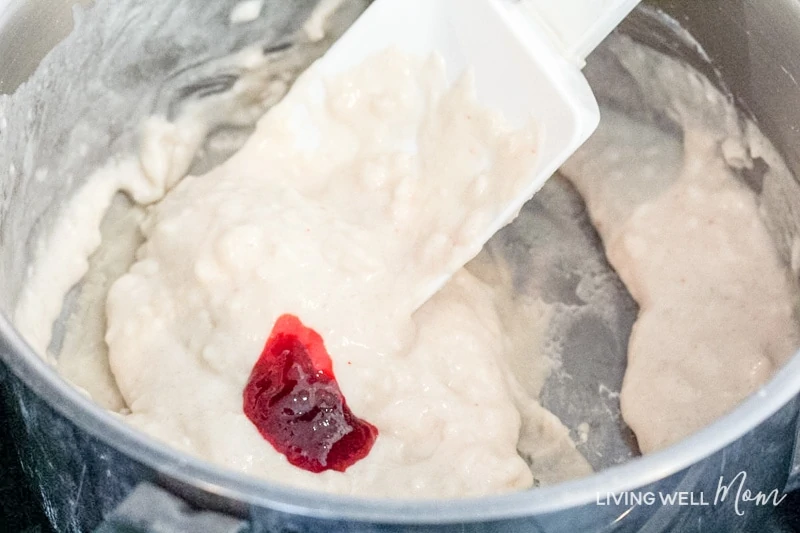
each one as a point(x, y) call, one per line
point(526, 56)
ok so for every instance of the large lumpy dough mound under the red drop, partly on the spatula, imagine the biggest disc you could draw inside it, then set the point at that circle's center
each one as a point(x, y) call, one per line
point(348, 199)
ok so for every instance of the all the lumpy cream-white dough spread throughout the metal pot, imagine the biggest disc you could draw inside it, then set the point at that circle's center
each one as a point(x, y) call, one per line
point(350, 197)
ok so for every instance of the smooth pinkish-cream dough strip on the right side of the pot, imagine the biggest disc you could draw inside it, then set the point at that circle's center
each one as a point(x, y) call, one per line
point(686, 236)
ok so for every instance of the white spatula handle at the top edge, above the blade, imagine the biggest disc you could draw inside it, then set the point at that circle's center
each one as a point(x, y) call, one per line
point(576, 26)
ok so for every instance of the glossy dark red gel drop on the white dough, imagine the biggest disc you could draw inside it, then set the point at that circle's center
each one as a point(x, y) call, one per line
point(295, 403)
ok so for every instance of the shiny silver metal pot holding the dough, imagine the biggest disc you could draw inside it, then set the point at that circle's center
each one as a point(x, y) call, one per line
point(140, 57)
